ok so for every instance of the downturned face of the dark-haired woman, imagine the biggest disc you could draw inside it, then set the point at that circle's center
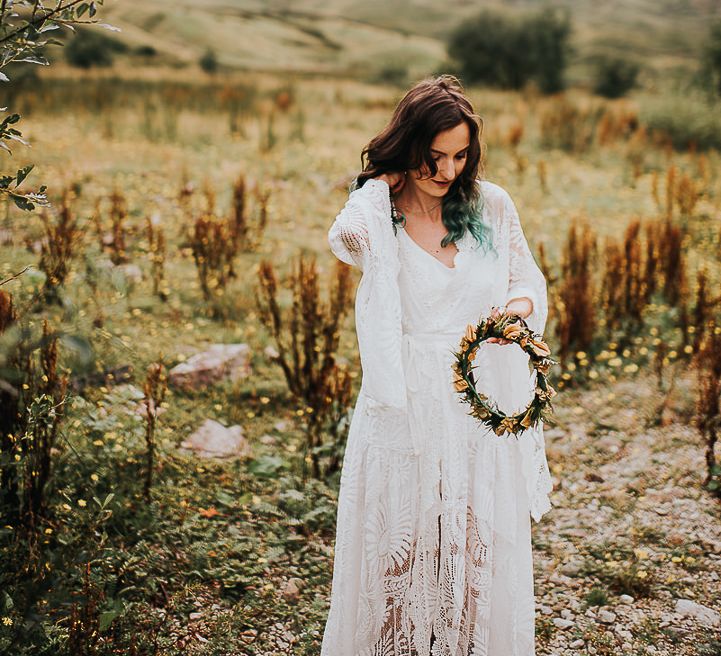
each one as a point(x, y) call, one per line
point(449, 150)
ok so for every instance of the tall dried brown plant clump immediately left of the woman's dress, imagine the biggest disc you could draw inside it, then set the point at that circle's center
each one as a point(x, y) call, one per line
point(307, 335)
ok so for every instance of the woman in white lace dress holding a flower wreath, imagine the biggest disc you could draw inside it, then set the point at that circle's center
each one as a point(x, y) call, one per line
point(433, 545)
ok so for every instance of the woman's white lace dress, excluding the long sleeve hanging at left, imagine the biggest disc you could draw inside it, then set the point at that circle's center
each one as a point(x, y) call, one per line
point(433, 548)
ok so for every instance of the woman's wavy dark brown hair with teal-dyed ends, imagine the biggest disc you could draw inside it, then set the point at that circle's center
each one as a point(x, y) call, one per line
point(429, 107)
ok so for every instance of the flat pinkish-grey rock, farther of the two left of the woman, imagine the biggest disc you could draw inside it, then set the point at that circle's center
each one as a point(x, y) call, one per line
point(220, 361)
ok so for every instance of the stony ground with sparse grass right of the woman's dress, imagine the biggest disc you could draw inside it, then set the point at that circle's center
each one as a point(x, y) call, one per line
point(632, 532)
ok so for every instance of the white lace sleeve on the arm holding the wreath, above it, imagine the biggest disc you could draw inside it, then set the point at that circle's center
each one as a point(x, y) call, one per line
point(525, 277)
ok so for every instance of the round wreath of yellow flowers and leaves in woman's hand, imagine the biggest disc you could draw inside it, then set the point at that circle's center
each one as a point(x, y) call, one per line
point(514, 328)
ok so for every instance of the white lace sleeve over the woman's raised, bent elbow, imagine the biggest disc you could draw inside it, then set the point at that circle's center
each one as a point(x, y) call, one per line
point(348, 237)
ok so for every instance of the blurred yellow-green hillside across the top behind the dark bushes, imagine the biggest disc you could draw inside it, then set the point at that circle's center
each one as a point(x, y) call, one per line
point(361, 39)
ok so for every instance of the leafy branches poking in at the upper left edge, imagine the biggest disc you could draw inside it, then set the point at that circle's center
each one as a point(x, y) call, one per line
point(26, 27)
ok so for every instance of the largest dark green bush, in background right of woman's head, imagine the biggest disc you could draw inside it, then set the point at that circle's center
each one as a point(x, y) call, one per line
point(509, 52)
